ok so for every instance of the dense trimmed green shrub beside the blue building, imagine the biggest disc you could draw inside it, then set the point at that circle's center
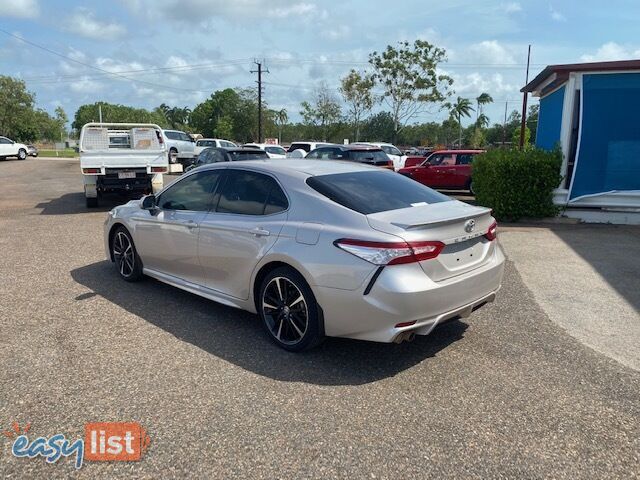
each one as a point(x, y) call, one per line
point(517, 183)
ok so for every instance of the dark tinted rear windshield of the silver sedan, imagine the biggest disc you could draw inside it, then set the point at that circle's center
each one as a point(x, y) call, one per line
point(372, 192)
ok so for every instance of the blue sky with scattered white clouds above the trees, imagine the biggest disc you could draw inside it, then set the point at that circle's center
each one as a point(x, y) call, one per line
point(147, 52)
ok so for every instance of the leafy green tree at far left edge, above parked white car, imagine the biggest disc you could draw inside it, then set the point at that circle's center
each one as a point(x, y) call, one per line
point(16, 107)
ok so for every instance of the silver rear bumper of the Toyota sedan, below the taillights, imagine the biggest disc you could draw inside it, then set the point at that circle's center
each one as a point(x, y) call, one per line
point(403, 293)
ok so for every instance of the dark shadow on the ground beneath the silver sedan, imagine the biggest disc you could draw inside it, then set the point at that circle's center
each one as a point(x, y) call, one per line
point(238, 337)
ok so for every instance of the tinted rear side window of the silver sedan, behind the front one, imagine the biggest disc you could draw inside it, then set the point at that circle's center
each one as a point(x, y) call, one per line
point(250, 193)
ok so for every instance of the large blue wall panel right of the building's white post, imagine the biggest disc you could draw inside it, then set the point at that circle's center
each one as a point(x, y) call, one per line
point(609, 151)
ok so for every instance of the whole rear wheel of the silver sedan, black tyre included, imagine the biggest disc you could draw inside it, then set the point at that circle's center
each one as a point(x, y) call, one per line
point(289, 310)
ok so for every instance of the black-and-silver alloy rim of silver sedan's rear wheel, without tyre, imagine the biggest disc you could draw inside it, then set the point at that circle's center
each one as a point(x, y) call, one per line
point(285, 311)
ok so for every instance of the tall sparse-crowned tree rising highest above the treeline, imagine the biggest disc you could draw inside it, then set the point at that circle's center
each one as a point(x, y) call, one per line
point(408, 75)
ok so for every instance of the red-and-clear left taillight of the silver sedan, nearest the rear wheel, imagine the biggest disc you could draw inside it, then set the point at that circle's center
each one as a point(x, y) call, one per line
point(390, 253)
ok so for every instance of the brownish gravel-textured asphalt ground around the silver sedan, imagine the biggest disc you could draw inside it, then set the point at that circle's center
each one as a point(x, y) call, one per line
point(506, 394)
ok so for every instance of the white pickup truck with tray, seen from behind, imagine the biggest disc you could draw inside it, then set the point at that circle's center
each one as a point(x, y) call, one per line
point(122, 158)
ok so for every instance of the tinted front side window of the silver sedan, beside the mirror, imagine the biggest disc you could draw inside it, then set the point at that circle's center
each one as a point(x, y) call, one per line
point(194, 192)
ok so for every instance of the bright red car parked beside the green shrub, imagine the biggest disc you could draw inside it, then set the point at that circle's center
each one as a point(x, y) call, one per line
point(447, 169)
